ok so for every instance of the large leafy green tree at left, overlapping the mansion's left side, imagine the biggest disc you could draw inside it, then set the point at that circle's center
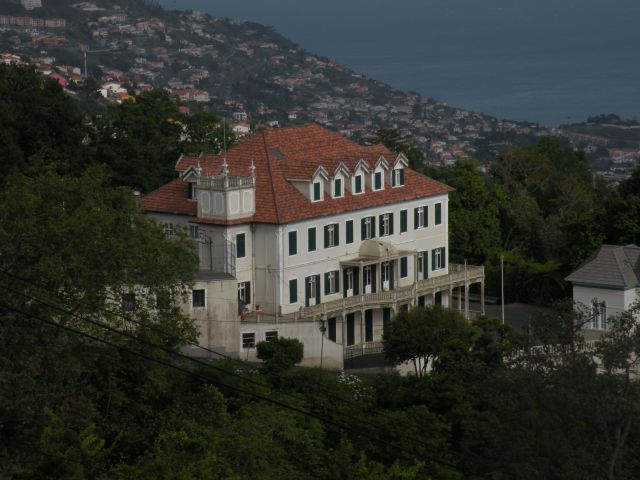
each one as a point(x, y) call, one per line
point(71, 247)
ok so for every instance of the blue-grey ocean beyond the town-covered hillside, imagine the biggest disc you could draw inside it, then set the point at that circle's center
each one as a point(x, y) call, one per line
point(546, 61)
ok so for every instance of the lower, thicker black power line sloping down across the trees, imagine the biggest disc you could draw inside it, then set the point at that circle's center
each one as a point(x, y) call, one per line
point(205, 379)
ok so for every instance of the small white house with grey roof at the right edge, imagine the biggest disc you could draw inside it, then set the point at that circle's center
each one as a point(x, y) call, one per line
point(608, 282)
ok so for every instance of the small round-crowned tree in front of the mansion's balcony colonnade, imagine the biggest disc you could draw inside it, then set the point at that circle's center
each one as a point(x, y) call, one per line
point(420, 335)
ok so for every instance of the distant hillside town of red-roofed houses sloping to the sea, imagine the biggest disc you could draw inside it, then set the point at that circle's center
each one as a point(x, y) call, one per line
point(259, 79)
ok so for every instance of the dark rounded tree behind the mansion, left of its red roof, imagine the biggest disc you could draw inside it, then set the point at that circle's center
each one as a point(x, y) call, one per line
point(140, 140)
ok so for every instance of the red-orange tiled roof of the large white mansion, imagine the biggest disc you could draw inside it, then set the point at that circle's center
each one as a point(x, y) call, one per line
point(292, 153)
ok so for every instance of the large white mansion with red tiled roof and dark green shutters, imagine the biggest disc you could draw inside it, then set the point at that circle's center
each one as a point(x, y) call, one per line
point(303, 233)
